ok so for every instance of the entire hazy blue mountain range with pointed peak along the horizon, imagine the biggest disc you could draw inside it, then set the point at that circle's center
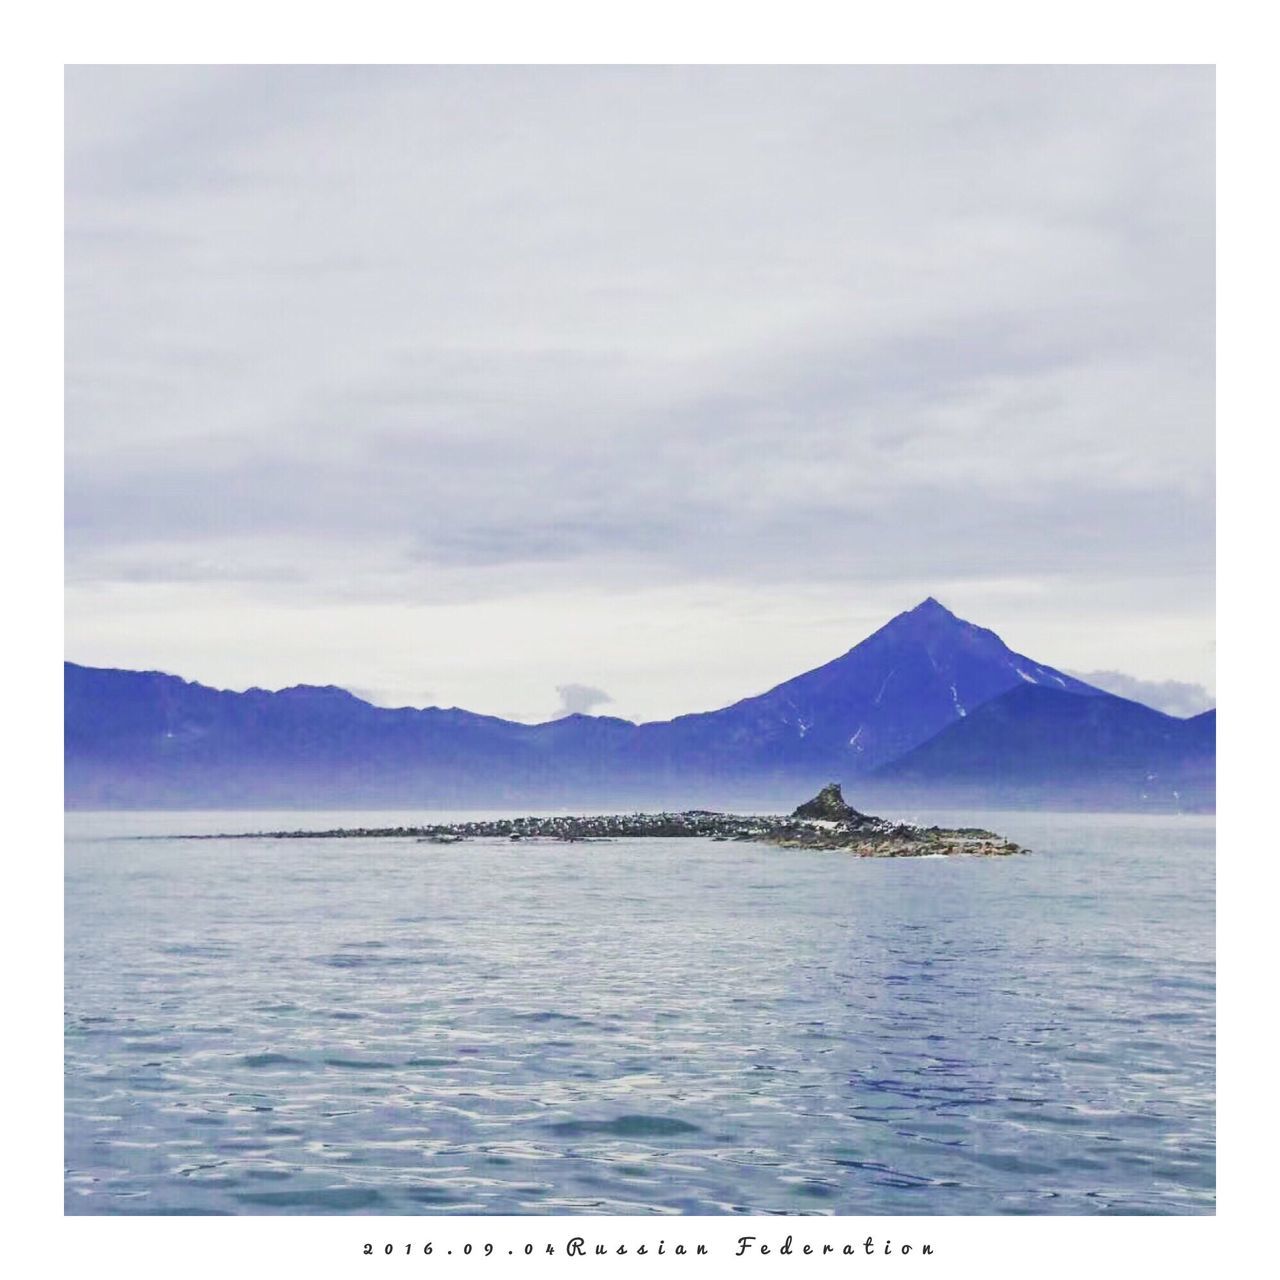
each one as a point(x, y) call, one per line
point(927, 708)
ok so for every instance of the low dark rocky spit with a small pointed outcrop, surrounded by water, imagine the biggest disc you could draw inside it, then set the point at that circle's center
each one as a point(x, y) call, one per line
point(826, 822)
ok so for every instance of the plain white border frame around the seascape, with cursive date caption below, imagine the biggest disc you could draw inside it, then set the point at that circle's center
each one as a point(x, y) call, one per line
point(42, 43)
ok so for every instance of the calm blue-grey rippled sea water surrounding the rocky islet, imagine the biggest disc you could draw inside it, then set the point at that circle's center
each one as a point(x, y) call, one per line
point(670, 1027)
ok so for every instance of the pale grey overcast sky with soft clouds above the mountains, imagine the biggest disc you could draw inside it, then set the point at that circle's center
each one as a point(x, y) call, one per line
point(636, 390)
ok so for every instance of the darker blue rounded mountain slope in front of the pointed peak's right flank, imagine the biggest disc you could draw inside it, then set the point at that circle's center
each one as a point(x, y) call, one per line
point(1037, 746)
